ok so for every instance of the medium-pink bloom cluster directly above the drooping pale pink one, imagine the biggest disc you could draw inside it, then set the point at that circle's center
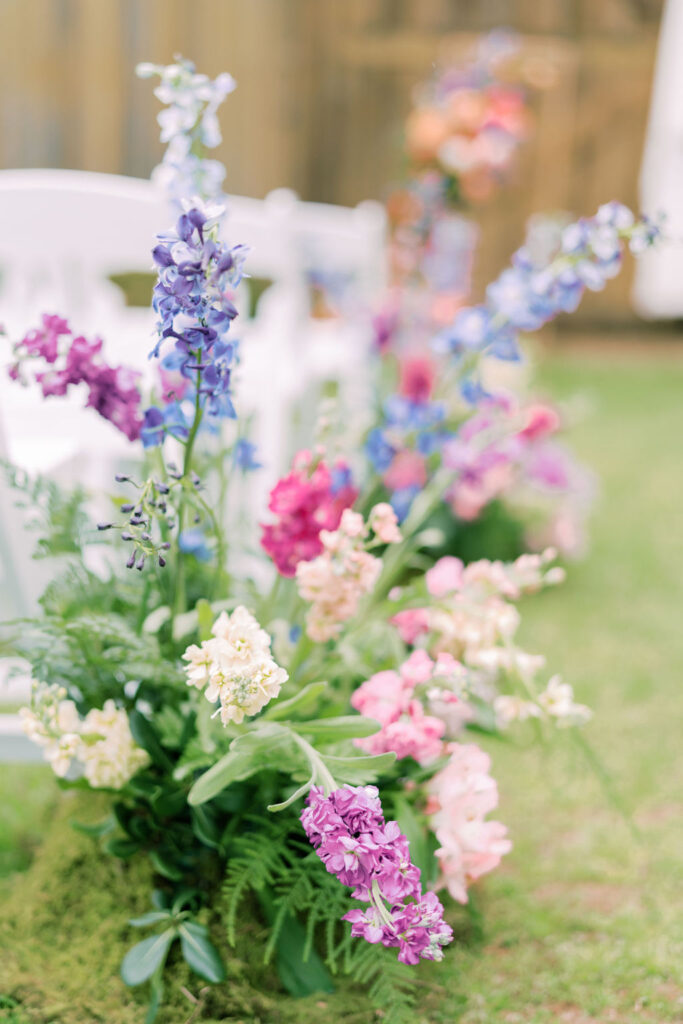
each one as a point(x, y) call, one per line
point(417, 707)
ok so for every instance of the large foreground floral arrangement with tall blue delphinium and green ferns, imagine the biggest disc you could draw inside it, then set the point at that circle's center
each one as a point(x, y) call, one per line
point(307, 749)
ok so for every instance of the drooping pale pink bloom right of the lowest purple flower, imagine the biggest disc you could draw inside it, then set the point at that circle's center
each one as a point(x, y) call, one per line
point(460, 798)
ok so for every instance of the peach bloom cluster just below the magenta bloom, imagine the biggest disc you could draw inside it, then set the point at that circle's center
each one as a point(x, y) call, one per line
point(346, 572)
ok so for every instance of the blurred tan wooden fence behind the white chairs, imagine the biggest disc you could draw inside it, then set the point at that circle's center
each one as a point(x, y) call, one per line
point(324, 88)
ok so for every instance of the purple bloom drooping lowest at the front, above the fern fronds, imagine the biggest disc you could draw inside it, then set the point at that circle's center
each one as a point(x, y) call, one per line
point(372, 857)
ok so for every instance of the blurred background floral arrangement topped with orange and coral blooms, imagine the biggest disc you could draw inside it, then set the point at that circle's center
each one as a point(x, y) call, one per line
point(514, 477)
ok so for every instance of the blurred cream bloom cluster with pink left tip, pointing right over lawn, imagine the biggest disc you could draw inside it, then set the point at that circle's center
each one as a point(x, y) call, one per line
point(472, 612)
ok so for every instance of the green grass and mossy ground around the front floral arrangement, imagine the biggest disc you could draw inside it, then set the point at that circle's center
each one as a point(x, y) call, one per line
point(583, 923)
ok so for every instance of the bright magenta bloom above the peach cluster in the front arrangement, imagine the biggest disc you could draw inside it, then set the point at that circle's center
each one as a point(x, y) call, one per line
point(311, 499)
